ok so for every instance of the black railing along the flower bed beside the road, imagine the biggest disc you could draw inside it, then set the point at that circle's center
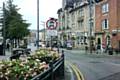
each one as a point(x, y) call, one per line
point(56, 70)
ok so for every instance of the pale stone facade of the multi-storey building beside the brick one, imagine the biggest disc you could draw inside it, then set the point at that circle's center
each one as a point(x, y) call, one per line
point(75, 22)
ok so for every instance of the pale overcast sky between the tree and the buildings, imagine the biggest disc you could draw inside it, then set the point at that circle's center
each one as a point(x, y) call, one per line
point(48, 8)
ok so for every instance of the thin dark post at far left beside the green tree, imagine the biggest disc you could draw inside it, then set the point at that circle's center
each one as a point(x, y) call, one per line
point(4, 40)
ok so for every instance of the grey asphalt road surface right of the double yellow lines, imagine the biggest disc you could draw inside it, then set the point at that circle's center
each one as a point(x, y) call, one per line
point(95, 66)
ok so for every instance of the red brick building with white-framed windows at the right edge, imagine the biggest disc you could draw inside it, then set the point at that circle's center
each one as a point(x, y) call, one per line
point(107, 23)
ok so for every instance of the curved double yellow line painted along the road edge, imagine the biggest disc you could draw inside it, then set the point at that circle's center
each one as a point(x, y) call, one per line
point(77, 72)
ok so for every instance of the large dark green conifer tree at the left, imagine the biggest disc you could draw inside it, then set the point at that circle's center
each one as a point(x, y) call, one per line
point(16, 28)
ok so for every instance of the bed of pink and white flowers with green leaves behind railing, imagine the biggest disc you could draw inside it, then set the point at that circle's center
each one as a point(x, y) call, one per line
point(29, 68)
